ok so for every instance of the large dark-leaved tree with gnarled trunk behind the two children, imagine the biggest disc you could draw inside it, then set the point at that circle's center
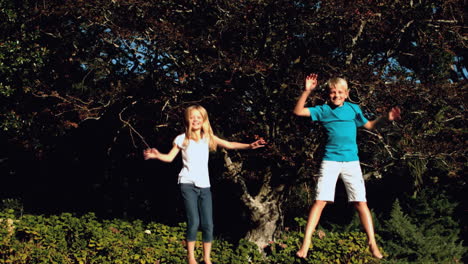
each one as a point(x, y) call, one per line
point(133, 67)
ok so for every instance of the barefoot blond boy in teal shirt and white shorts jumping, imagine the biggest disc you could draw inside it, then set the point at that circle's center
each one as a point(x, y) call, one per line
point(341, 120)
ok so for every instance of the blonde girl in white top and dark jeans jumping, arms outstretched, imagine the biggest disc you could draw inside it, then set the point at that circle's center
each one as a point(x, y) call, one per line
point(194, 180)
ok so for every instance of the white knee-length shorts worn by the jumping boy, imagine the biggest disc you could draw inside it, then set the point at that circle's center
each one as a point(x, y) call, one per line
point(351, 175)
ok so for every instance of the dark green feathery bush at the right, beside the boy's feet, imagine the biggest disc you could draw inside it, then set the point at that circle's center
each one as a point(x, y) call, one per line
point(428, 234)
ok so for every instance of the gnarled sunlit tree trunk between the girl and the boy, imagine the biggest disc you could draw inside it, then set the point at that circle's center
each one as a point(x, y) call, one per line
point(265, 210)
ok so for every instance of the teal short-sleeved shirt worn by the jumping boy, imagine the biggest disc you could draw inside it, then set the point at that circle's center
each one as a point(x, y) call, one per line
point(341, 124)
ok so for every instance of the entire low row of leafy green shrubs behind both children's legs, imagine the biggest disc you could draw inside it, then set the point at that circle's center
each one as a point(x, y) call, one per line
point(65, 239)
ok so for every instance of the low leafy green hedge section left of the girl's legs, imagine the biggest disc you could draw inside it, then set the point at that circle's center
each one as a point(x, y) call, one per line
point(68, 239)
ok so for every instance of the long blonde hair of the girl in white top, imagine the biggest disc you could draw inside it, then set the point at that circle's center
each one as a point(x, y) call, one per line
point(206, 131)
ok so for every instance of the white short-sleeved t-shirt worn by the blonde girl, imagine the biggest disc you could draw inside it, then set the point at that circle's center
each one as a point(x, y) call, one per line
point(195, 161)
